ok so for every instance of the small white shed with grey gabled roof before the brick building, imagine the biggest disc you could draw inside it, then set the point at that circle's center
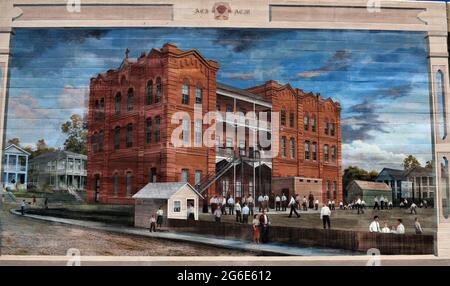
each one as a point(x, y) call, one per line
point(173, 198)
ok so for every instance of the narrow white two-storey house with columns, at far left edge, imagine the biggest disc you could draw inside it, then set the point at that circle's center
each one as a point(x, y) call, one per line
point(15, 167)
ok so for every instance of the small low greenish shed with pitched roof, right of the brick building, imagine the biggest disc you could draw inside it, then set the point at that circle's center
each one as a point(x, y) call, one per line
point(367, 191)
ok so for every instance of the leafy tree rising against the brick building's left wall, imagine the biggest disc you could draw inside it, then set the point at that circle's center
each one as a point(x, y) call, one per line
point(76, 132)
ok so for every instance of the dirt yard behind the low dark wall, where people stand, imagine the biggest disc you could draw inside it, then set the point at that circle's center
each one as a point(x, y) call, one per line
point(349, 219)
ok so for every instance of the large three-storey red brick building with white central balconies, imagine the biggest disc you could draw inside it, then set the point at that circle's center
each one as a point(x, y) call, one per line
point(131, 126)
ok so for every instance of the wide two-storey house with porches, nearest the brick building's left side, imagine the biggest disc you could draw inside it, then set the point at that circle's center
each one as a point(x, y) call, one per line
point(58, 171)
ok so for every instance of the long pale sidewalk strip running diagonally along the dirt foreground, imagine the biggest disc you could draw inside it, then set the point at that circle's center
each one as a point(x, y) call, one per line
point(269, 248)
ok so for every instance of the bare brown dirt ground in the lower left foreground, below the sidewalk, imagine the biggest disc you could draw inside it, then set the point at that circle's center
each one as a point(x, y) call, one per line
point(25, 236)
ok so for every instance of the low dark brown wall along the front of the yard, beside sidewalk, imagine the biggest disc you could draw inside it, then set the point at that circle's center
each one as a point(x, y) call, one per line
point(388, 244)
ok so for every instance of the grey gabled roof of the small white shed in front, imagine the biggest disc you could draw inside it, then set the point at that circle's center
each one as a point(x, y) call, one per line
point(162, 190)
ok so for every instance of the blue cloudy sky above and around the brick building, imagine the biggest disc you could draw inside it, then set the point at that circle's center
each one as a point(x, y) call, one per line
point(379, 78)
